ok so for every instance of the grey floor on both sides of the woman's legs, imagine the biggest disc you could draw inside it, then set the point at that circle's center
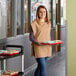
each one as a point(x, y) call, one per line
point(55, 66)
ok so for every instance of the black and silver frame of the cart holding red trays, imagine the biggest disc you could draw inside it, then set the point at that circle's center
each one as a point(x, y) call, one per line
point(3, 58)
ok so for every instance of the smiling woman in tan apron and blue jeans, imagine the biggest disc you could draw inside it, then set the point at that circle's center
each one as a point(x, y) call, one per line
point(40, 32)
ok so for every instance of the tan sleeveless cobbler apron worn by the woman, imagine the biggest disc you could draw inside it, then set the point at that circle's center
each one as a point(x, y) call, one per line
point(41, 34)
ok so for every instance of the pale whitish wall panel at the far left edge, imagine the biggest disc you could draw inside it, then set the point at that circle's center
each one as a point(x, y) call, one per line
point(3, 18)
